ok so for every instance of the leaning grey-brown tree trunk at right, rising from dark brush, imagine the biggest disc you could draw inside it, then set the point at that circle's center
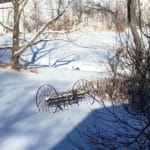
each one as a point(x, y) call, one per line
point(139, 59)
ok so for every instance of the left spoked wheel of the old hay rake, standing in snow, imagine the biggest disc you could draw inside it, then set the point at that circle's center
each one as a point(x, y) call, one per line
point(43, 96)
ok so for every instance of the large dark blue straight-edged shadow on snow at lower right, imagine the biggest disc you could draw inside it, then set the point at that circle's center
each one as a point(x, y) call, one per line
point(98, 130)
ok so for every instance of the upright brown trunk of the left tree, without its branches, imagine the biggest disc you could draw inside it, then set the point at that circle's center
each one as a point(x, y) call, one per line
point(15, 58)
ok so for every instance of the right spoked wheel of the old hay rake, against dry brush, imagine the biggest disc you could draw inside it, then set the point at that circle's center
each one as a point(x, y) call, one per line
point(83, 87)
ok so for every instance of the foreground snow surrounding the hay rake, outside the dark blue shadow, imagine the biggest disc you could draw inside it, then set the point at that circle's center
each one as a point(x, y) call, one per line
point(21, 125)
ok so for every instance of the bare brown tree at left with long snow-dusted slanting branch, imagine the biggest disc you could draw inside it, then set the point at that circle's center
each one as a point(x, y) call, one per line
point(18, 7)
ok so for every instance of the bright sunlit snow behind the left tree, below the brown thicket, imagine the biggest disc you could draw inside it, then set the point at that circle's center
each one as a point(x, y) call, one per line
point(86, 51)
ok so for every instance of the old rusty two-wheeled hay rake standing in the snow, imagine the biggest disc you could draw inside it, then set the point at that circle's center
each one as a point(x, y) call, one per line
point(49, 100)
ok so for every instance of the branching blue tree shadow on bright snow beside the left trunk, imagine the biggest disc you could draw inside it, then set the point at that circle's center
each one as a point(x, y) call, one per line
point(43, 51)
